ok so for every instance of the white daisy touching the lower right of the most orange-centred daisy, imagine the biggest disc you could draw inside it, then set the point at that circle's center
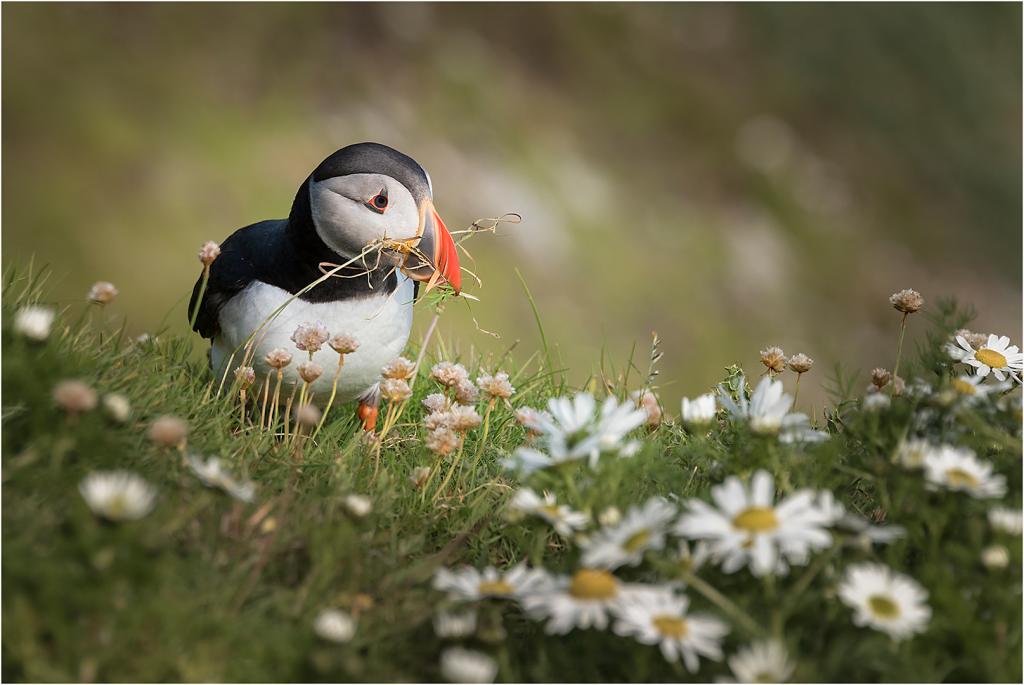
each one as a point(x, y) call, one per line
point(661, 618)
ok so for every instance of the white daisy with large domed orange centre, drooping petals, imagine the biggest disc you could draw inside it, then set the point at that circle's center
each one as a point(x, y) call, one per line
point(585, 600)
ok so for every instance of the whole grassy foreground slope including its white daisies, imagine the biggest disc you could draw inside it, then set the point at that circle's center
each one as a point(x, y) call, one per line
point(328, 570)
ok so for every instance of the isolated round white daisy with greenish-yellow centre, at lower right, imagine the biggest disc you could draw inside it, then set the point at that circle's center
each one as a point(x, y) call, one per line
point(885, 601)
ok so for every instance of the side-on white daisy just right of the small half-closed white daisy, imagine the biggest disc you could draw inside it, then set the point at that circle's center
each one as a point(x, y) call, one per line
point(767, 412)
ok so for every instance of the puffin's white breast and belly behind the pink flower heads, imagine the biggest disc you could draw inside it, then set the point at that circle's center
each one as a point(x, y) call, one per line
point(380, 323)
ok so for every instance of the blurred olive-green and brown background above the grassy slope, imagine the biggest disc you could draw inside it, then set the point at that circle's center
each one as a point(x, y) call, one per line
point(731, 177)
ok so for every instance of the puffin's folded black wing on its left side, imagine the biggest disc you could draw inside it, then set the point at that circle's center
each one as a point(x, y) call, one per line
point(246, 256)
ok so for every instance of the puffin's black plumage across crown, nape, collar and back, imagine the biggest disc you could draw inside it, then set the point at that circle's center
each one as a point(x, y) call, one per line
point(287, 253)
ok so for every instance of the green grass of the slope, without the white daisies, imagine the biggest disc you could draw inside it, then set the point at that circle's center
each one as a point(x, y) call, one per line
point(209, 589)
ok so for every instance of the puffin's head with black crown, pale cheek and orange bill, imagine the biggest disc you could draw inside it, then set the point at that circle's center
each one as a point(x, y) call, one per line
point(368, 192)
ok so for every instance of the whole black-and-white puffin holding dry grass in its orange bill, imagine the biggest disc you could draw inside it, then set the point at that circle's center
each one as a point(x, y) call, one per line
point(353, 201)
